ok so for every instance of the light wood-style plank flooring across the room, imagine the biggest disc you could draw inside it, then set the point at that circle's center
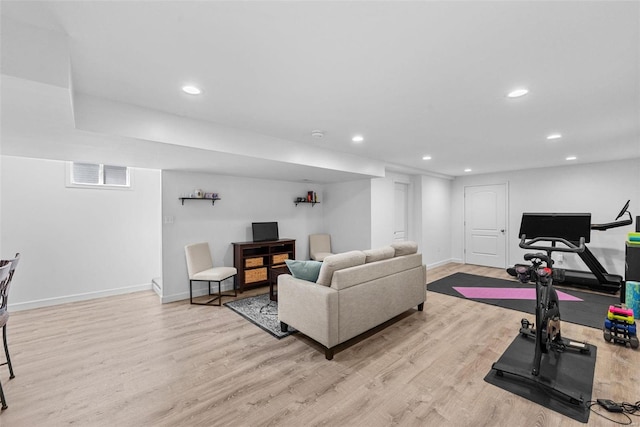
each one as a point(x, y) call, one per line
point(130, 361)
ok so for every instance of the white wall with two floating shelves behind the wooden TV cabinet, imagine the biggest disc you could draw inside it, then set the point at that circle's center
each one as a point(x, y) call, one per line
point(244, 200)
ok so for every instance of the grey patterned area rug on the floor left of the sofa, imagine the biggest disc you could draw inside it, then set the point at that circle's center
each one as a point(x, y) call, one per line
point(260, 311)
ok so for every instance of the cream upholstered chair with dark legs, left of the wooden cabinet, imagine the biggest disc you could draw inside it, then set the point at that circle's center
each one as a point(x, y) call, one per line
point(200, 268)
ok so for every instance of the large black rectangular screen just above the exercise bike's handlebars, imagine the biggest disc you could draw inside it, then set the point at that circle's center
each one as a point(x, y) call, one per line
point(569, 226)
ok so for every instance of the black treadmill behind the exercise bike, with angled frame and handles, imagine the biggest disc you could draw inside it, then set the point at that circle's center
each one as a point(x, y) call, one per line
point(571, 227)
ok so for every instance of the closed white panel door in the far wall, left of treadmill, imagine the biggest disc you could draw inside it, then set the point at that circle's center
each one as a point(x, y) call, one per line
point(485, 212)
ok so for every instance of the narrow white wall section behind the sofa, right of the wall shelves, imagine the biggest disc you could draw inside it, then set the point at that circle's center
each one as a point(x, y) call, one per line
point(347, 215)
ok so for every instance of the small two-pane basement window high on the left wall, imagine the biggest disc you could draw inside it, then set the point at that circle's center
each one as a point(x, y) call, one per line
point(93, 175)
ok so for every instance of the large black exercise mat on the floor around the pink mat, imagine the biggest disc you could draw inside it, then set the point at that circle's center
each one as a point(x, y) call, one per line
point(591, 311)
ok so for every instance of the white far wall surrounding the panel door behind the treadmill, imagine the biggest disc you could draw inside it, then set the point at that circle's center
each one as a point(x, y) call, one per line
point(600, 189)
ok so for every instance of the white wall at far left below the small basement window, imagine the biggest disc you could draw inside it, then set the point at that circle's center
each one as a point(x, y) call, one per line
point(77, 243)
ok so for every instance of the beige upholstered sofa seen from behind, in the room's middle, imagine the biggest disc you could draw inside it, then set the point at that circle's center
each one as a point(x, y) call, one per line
point(355, 291)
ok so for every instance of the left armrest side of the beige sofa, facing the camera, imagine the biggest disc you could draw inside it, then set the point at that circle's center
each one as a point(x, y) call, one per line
point(310, 308)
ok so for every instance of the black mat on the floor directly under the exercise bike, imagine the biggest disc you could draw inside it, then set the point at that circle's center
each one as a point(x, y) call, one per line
point(569, 372)
